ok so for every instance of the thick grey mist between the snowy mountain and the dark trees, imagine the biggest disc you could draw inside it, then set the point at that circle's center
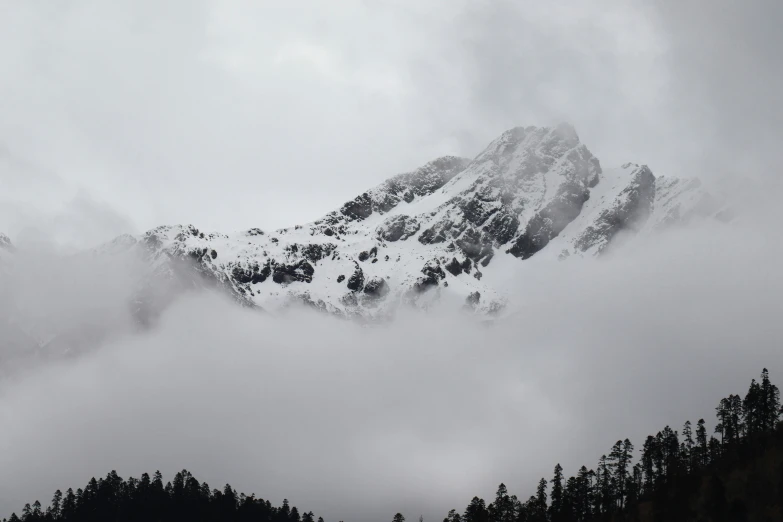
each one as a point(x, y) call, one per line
point(417, 415)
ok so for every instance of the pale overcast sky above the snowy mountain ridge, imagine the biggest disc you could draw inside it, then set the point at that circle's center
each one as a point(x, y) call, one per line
point(232, 114)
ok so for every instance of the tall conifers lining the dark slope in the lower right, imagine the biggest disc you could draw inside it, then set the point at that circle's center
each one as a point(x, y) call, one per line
point(617, 483)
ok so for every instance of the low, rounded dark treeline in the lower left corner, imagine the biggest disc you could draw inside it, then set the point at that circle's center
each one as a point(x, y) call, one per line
point(147, 499)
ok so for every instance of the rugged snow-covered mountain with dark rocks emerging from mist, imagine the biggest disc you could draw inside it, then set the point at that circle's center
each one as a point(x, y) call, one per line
point(433, 234)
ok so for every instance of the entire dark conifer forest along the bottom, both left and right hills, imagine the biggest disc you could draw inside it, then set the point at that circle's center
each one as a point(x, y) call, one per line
point(732, 474)
